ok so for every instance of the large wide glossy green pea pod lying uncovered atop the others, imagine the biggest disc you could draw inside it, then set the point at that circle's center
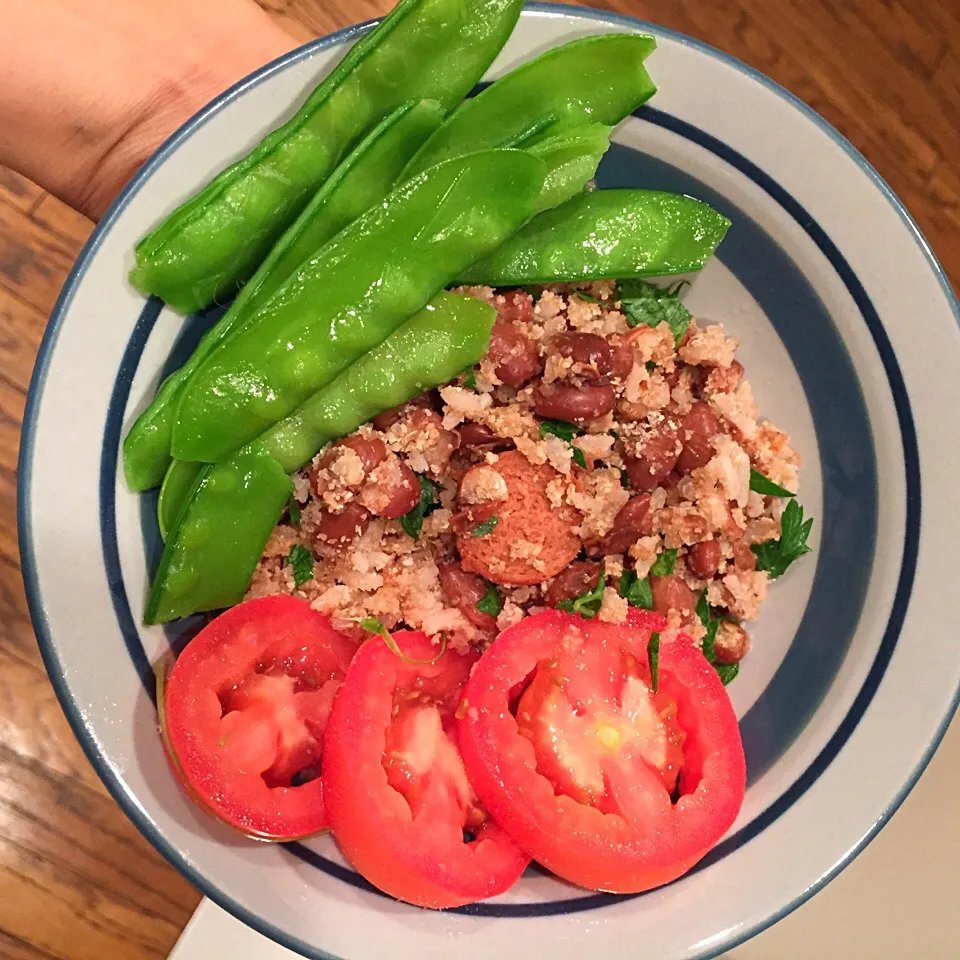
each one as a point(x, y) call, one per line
point(376, 273)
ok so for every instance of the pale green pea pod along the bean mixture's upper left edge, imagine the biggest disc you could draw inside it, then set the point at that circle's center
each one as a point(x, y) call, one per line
point(430, 349)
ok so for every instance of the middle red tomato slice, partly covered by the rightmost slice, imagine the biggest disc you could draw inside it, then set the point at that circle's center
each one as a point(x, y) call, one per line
point(401, 806)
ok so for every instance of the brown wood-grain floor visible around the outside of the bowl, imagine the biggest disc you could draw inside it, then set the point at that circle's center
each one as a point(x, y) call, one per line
point(77, 882)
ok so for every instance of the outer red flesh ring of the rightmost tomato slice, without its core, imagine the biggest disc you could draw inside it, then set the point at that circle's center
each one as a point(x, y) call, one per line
point(651, 841)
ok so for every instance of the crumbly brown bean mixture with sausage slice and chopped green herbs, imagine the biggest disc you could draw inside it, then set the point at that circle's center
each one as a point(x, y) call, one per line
point(585, 461)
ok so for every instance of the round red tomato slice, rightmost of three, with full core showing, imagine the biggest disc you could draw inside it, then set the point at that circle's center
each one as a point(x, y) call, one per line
point(607, 784)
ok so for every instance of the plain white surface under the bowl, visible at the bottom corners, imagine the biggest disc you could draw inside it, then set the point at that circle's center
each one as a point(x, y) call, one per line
point(898, 899)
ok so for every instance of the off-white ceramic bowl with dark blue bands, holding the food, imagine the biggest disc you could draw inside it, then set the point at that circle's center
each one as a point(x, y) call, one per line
point(849, 335)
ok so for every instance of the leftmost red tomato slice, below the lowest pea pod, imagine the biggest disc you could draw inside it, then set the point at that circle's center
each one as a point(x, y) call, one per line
point(244, 713)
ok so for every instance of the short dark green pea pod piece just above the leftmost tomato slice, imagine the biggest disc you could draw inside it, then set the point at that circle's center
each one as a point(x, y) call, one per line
point(207, 562)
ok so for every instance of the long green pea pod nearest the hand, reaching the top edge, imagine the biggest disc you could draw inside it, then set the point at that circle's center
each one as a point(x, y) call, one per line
point(430, 49)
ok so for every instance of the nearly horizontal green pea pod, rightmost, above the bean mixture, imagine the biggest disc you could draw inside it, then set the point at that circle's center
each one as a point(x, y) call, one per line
point(606, 234)
